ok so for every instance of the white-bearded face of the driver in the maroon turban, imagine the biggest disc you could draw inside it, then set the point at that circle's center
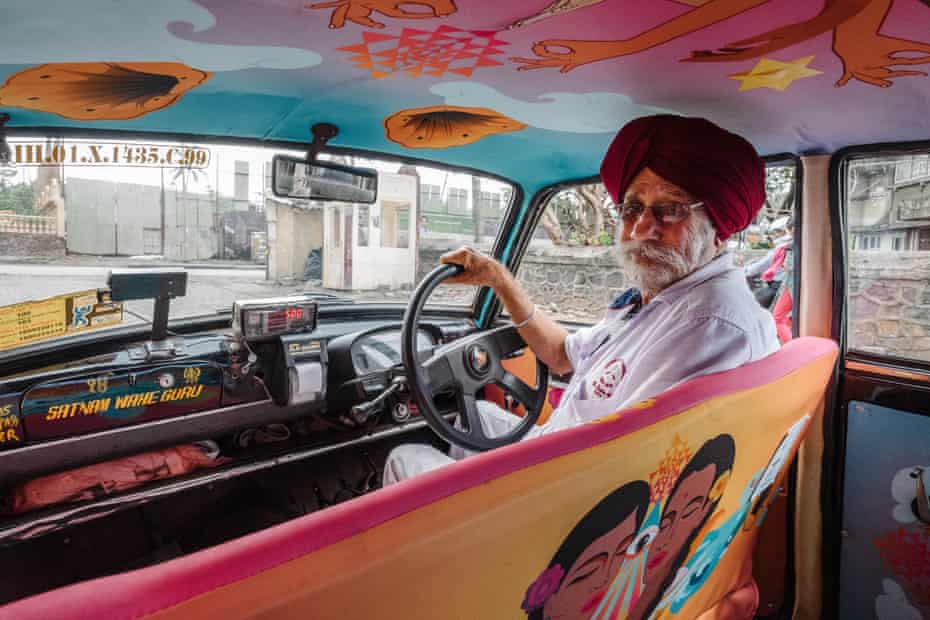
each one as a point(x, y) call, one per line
point(655, 254)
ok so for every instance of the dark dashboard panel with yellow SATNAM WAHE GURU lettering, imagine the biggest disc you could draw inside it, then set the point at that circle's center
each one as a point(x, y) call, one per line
point(99, 402)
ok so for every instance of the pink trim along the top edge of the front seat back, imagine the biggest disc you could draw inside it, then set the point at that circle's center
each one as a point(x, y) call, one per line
point(138, 593)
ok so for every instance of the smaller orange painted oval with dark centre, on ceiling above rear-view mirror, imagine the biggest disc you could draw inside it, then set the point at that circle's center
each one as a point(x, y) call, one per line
point(441, 127)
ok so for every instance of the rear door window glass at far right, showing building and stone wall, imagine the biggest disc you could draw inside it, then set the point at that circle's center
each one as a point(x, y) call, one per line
point(888, 215)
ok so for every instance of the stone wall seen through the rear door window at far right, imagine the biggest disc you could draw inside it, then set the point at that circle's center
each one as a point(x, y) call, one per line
point(889, 309)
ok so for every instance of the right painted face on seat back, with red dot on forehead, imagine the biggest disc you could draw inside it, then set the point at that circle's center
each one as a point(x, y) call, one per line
point(682, 515)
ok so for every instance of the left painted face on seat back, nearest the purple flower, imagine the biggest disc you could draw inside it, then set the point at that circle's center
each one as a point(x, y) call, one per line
point(588, 578)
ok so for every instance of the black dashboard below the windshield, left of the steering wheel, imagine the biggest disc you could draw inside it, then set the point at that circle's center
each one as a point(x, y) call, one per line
point(245, 379)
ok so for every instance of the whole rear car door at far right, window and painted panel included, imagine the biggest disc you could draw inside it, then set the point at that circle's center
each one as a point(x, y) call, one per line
point(879, 525)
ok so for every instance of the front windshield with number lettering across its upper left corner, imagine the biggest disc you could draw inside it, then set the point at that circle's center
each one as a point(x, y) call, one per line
point(66, 223)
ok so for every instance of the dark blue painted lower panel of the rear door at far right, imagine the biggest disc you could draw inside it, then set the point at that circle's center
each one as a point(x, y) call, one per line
point(885, 549)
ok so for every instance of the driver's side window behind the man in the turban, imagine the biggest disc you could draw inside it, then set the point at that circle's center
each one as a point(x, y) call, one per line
point(571, 266)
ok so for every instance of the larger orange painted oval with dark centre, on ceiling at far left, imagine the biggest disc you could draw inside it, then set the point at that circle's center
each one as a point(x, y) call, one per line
point(92, 91)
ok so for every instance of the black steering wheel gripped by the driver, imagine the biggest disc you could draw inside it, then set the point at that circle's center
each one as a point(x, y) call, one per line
point(465, 366)
